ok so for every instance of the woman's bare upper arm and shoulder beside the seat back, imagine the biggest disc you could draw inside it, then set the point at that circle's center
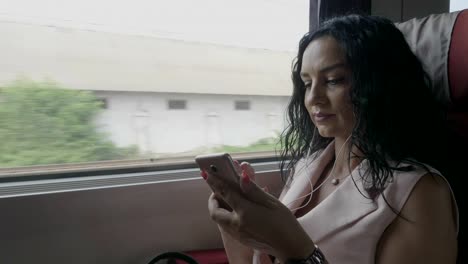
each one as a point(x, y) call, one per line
point(428, 234)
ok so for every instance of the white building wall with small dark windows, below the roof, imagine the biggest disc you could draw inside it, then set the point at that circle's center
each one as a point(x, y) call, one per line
point(144, 120)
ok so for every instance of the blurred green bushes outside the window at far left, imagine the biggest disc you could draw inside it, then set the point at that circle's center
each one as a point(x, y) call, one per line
point(43, 123)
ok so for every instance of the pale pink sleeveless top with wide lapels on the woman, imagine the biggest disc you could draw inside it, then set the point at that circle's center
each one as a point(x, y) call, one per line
point(346, 225)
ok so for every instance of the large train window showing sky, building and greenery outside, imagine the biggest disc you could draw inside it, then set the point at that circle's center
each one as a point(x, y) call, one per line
point(61, 58)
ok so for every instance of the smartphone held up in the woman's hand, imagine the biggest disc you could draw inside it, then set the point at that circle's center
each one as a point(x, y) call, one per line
point(219, 165)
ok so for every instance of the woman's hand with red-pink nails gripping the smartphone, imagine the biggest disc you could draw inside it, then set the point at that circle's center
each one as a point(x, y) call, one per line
point(256, 218)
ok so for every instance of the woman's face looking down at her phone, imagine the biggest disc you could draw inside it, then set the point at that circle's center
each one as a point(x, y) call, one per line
point(327, 79)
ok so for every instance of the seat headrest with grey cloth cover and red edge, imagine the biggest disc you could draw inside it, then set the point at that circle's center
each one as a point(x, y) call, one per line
point(440, 42)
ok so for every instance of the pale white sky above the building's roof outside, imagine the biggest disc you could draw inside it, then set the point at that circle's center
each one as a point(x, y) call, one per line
point(269, 24)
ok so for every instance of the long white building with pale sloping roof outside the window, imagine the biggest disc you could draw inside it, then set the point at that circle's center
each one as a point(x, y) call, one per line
point(138, 76)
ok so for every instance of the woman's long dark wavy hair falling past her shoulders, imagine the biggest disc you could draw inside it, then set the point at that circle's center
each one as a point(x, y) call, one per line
point(397, 116)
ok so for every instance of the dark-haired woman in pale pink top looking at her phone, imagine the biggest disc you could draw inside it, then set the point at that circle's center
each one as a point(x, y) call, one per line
point(365, 183)
